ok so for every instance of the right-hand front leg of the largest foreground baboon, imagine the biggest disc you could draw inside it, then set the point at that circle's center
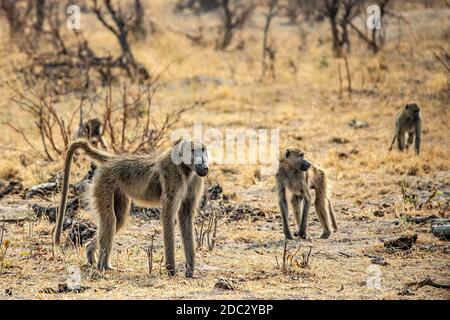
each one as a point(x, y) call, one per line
point(185, 216)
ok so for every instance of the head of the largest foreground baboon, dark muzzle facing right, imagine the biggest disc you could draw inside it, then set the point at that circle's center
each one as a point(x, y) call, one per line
point(192, 154)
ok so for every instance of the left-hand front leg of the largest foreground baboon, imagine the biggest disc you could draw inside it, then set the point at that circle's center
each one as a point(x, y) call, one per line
point(169, 209)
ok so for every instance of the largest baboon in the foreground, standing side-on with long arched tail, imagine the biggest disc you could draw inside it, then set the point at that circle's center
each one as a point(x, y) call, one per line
point(173, 180)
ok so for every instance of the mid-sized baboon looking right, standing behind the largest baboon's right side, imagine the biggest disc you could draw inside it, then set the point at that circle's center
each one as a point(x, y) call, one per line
point(299, 176)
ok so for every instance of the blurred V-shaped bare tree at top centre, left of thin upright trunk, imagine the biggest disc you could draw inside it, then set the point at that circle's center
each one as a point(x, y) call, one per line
point(234, 15)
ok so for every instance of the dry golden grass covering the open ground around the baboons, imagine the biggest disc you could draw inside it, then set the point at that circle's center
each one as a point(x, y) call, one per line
point(305, 105)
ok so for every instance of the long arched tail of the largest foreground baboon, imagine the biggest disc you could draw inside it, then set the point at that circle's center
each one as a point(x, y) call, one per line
point(92, 152)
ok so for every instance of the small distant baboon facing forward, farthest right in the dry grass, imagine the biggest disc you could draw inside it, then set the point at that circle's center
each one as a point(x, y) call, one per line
point(408, 121)
